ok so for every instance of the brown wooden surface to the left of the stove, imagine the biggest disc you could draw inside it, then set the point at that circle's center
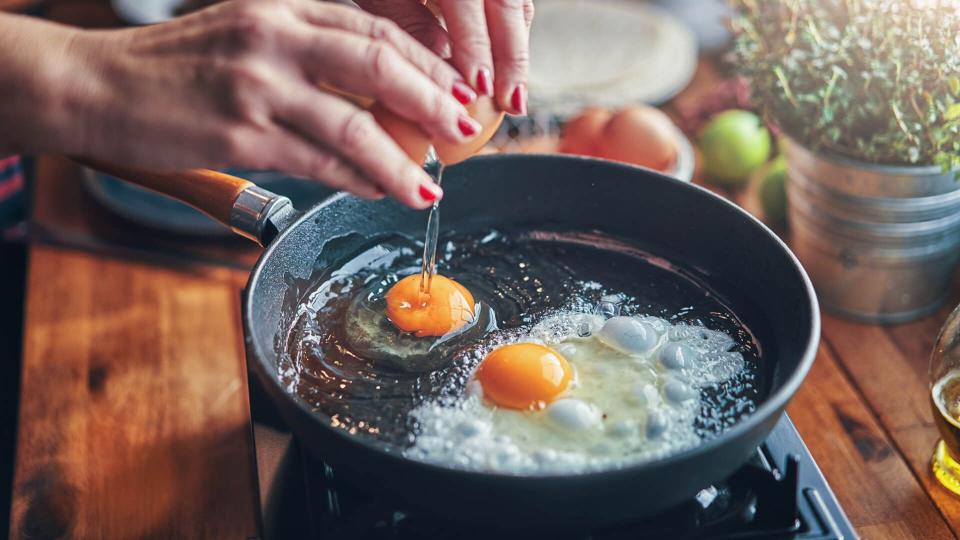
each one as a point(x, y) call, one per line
point(134, 413)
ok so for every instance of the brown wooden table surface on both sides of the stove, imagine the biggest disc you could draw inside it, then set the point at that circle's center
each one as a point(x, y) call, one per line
point(135, 421)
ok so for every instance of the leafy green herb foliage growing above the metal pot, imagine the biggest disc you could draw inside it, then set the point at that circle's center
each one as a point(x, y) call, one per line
point(872, 80)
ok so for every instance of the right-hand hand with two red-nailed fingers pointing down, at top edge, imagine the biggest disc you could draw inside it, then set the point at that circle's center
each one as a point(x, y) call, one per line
point(488, 40)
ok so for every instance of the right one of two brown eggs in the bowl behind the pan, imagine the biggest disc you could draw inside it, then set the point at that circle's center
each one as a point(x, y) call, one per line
point(640, 135)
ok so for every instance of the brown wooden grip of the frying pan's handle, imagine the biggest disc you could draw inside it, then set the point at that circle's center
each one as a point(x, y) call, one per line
point(211, 192)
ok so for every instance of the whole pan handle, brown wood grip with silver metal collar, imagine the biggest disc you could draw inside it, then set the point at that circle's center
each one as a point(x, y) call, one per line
point(248, 210)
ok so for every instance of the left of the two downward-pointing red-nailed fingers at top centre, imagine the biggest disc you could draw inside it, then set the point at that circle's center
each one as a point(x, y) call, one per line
point(470, 41)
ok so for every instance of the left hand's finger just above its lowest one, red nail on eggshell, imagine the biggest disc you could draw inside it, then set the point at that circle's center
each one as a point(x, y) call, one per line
point(374, 68)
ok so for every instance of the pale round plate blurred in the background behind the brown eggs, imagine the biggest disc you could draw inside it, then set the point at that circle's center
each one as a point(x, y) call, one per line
point(608, 53)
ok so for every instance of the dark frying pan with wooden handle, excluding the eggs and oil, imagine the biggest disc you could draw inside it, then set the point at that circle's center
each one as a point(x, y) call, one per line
point(731, 253)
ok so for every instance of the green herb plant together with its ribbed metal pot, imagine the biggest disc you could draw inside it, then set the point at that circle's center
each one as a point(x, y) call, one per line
point(866, 95)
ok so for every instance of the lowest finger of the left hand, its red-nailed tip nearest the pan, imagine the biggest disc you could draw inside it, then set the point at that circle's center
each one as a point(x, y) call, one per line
point(357, 139)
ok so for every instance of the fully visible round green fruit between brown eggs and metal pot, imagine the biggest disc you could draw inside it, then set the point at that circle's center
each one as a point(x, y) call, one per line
point(734, 144)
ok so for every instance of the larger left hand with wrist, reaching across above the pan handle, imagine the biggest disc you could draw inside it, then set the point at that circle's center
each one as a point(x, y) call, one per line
point(238, 84)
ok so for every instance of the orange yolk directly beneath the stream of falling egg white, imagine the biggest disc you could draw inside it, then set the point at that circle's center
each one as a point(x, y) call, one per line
point(446, 307)
